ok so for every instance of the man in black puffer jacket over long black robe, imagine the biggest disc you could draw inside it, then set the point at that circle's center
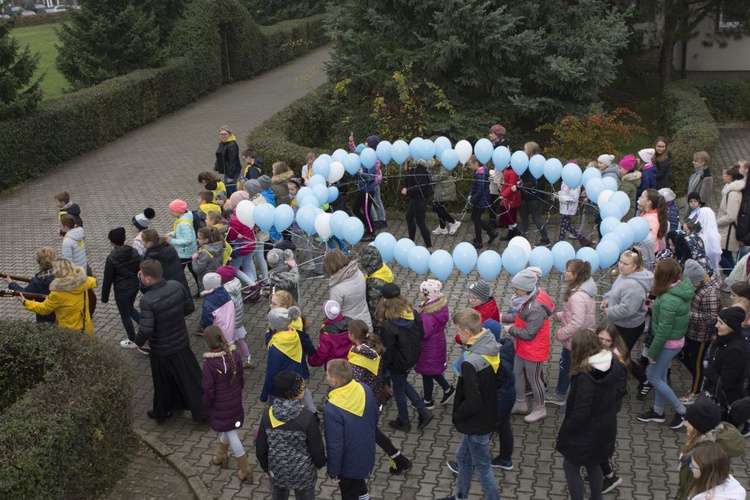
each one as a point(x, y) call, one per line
point(174, 369)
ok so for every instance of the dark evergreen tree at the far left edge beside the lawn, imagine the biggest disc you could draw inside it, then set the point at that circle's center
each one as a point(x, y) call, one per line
point(18, 94)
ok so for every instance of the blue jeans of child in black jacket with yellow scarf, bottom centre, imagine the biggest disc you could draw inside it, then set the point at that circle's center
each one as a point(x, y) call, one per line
point(474, 454)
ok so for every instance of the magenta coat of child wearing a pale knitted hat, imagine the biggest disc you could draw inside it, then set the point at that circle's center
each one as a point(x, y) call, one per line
point(432, 356)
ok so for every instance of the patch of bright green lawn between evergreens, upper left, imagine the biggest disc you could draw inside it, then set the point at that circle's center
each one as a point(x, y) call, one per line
point(42, 39)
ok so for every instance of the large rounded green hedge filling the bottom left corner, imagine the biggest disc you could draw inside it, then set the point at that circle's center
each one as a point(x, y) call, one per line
point(65, 413)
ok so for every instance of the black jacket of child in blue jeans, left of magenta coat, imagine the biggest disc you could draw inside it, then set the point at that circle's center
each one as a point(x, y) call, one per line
point(401, 339)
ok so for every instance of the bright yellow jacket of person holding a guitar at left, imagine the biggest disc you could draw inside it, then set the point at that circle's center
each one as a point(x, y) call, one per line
point(69, 301)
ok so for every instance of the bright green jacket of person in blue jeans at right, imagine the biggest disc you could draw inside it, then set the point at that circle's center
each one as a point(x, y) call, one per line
point(669, 315)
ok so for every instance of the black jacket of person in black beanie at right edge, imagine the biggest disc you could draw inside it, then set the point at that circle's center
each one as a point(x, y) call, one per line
point(727, 361)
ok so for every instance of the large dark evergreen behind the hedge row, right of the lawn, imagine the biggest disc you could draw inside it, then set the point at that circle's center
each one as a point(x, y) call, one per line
point(107, 38)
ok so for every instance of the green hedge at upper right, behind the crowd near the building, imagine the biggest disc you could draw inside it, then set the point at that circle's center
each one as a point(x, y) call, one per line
point(691, 128)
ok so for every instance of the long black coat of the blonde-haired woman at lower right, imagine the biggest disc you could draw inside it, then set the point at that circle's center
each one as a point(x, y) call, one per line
point(589, 430)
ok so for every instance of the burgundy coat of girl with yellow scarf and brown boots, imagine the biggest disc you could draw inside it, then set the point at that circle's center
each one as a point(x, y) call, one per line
point(221, 398)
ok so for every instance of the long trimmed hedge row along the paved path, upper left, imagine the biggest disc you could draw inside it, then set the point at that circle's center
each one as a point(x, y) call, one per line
point(64, 128)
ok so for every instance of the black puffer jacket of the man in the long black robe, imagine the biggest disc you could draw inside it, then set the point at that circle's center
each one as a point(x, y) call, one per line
point(164, 306)
